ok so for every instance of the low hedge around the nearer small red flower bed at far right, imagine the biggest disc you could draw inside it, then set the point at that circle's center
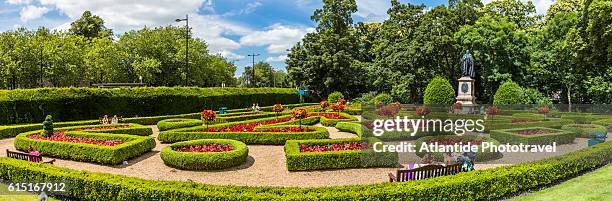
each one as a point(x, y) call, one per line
point(555, 135)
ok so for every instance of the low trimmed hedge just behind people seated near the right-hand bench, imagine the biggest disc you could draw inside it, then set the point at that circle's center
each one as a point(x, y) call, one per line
point(480, 156)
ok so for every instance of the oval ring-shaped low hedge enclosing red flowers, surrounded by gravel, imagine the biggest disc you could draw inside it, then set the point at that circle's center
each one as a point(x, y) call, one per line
point(207, 154)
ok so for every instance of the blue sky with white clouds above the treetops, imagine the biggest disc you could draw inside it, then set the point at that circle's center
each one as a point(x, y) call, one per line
point(232, 28)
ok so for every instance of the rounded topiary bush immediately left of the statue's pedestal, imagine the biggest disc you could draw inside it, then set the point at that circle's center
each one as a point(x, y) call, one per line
point(439, 92)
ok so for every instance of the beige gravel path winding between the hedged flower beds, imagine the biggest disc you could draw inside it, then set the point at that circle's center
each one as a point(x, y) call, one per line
point(264, 167)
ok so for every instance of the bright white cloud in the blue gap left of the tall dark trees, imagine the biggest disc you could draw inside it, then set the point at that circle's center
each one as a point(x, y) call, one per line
point(278, 38)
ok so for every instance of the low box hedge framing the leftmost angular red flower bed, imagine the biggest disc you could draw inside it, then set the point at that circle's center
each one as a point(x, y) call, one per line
point(132, 147)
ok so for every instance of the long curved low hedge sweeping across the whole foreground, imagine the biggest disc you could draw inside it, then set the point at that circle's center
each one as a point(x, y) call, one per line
point(487, 184)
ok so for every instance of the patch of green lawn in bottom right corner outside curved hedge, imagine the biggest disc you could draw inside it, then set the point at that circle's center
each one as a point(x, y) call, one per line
point(592, 186)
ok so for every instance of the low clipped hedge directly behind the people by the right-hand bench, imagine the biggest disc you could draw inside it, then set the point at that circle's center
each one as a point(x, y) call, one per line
point(452, 139)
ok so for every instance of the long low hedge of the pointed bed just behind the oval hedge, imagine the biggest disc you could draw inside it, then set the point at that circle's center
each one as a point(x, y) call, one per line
point(273, 138)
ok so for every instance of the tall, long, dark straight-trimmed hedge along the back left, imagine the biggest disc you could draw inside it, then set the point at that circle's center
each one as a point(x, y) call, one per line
point(68, 104)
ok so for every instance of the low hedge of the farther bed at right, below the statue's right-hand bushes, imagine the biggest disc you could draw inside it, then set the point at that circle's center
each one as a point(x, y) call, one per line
point(498, 124)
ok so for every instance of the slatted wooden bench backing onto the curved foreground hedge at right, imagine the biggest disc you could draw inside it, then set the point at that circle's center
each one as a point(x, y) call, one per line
point(424, 172)
